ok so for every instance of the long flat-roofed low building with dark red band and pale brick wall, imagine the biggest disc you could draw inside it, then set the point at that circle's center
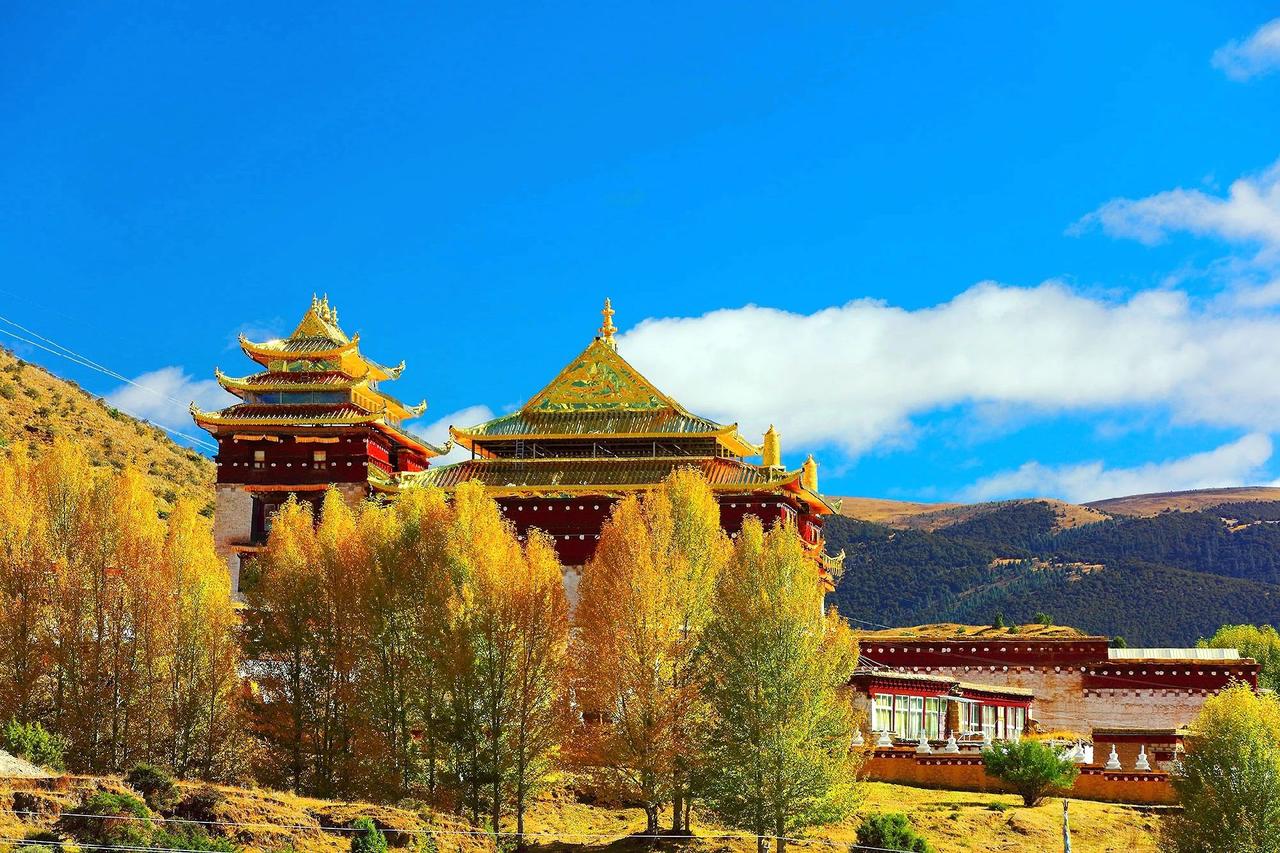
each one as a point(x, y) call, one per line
point(1078, 682)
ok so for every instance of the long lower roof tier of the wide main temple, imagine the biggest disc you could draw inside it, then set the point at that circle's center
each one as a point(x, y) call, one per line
point(612, 476)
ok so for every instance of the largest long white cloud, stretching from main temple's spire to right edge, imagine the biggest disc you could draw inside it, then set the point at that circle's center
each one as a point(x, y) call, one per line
point(857, 376)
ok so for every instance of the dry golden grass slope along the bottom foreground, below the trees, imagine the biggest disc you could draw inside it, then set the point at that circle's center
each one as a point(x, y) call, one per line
point(259, 820)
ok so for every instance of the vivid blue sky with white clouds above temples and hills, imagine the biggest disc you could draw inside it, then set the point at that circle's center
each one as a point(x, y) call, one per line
point(973, 252)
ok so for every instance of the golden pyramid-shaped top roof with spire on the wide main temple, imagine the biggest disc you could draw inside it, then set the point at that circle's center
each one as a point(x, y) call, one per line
point(602, 394)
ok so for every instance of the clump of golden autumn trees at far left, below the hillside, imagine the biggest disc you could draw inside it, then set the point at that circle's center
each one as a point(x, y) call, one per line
point(118, 626)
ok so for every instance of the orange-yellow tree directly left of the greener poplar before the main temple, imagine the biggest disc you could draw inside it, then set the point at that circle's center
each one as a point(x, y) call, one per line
point(646, 599)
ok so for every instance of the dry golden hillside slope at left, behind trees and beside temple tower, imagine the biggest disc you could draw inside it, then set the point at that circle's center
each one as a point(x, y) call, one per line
point(36, 407)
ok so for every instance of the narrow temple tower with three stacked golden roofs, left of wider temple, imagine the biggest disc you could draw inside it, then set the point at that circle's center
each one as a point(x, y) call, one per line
point(312, 418)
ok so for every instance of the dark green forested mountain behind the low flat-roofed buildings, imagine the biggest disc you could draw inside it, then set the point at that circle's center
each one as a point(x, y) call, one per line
point(1162, 580)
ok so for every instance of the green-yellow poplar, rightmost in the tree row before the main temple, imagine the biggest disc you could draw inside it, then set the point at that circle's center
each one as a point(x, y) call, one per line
point(778, 752)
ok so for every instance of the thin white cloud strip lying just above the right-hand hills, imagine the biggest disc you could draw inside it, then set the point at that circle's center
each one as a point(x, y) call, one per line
point(1233, 464)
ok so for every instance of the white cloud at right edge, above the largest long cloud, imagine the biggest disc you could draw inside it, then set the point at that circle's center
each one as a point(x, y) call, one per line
point(1250, 213)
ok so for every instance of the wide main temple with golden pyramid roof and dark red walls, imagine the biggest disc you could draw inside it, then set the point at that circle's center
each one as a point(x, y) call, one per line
point(601, 431)
